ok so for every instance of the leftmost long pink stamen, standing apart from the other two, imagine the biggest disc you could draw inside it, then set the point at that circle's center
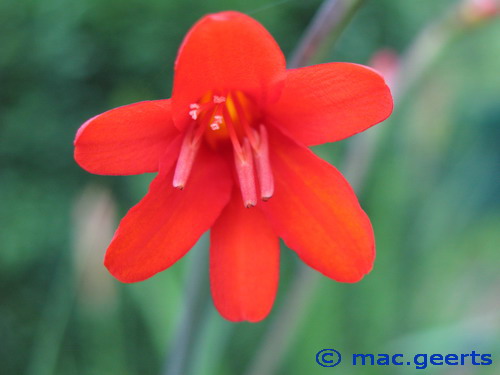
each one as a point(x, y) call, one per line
point(189, 149)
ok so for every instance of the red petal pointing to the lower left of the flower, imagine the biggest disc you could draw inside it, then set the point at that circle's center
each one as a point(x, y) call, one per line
point(167, 222)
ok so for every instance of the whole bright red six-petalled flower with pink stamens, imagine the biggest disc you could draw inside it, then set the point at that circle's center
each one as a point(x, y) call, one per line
point(236, 130)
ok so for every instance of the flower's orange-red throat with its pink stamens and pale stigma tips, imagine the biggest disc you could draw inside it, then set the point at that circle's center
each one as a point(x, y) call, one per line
point(231, 119)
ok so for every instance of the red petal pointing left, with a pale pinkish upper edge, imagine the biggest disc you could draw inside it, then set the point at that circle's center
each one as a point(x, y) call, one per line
point(126, 140)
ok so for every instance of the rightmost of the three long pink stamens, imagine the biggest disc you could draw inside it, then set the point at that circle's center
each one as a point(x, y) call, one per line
point(264, 171)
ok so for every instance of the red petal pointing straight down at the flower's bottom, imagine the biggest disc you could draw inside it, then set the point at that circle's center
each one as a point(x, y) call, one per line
point(244, 263)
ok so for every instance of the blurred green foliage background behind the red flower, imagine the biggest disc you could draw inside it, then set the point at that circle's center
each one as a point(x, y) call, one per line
point(432, 194)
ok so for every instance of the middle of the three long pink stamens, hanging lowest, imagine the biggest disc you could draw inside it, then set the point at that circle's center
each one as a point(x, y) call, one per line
point(246, 176)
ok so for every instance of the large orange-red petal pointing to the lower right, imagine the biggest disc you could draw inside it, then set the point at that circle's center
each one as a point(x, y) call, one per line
point(317, 214)
